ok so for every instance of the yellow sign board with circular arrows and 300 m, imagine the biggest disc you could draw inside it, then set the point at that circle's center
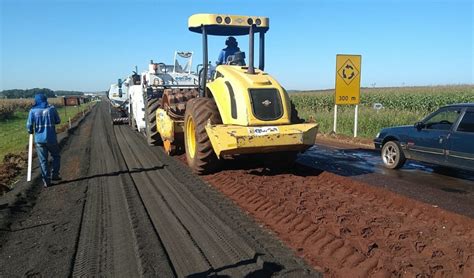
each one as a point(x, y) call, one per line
point(347, 79)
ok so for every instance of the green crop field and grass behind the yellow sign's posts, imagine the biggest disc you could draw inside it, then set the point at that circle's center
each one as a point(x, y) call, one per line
point(401, 106)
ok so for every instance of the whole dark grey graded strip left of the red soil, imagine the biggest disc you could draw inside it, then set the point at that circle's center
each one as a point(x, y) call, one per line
point(125, 209)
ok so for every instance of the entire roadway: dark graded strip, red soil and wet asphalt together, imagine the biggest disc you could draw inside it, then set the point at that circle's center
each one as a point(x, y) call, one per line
point(125, 209)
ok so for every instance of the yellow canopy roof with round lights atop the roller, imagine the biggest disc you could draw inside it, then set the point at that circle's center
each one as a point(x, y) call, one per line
point(227, 25)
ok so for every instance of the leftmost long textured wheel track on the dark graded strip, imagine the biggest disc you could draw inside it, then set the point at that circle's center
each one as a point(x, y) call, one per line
point(105, 225)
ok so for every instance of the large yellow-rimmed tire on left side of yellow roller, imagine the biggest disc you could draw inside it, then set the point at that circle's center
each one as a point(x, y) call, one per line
point(199, 152)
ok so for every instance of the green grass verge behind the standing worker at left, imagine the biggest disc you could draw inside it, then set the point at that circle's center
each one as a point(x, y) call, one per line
point(13, 134)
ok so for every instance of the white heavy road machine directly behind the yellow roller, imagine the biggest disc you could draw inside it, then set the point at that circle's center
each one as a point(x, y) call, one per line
point(161, 86)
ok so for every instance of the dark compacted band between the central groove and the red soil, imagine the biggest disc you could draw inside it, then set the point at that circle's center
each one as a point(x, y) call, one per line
point(195, 219)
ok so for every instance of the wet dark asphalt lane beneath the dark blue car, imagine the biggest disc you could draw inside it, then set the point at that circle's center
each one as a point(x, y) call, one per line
point(450, 189)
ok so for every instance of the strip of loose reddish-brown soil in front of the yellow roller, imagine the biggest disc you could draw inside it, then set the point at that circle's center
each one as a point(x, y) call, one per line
point(346, 228)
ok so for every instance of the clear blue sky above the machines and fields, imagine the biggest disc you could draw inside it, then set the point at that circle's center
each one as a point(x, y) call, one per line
point(86, 44)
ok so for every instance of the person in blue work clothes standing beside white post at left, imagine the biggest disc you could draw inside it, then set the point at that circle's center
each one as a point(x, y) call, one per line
point(41, 121)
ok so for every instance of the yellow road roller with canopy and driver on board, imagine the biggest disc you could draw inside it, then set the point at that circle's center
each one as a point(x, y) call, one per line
point(239, 109)
